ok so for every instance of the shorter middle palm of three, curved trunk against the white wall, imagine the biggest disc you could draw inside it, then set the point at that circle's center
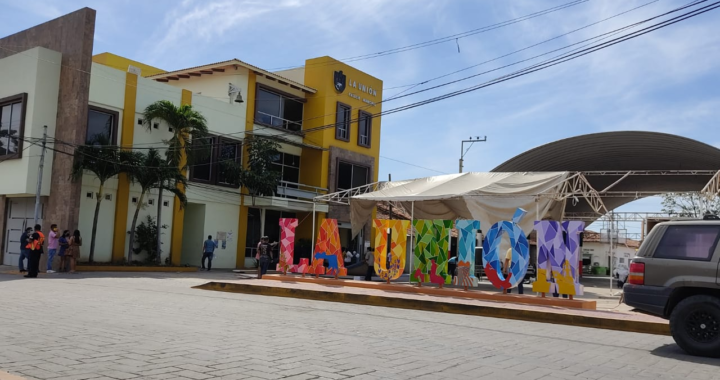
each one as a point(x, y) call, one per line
point(150, 170)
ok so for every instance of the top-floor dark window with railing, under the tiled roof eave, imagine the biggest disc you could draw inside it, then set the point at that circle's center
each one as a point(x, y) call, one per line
point(278, 110)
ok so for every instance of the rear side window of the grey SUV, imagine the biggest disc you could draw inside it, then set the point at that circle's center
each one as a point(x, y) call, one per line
point(688, 243)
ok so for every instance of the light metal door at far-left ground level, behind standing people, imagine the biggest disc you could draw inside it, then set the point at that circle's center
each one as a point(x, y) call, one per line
point(20, 215)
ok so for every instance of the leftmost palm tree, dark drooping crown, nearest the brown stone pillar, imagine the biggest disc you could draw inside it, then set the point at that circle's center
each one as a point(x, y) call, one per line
point(104, 161)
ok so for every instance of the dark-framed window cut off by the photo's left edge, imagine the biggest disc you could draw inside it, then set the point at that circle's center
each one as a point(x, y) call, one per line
point(12, 115)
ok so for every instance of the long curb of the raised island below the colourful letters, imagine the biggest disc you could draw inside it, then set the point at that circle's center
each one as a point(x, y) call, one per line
point(654, 328)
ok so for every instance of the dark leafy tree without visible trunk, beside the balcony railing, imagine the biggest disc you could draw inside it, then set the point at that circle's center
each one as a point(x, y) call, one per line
point(260, 177)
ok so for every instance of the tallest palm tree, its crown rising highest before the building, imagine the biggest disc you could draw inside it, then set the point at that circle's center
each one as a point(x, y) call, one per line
point(189, 127)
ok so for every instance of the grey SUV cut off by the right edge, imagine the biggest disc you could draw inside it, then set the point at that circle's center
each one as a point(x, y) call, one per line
point(676, 275)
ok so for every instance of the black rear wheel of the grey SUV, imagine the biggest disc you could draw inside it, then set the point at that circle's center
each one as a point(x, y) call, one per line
point(695, 325)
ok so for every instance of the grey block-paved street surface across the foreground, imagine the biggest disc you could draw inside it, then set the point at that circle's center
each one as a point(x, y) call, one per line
point(154, 326)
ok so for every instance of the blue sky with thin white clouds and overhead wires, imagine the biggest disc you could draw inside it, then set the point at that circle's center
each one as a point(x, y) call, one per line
point(665, 81)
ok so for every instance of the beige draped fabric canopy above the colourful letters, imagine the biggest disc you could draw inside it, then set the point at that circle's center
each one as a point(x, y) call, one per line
point(487, 197)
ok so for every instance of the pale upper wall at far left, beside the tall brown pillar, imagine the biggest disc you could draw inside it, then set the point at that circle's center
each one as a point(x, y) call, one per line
point(36, 73)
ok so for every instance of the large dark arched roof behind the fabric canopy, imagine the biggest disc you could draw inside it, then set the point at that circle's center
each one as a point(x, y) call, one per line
point(622, 151)
